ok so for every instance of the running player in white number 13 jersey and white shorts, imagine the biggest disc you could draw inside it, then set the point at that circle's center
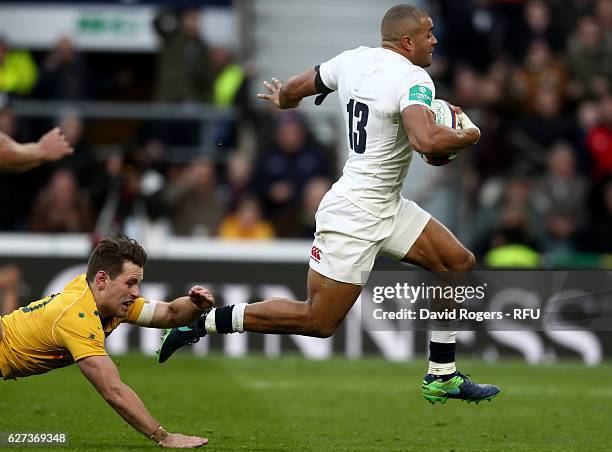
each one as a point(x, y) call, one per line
point(385, 95)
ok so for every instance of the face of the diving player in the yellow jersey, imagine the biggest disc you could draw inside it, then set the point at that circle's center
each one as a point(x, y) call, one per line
point(123, 290)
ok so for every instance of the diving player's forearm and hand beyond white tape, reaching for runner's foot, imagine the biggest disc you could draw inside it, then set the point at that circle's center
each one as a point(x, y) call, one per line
point(183, 310)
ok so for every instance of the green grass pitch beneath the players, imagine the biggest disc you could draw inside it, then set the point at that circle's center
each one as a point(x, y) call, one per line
point(294, 404)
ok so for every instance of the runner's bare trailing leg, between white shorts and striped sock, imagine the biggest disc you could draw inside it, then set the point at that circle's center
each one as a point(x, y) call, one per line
point(329, 301)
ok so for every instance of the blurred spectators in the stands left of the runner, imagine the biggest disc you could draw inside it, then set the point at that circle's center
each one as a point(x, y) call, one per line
point(264, 178)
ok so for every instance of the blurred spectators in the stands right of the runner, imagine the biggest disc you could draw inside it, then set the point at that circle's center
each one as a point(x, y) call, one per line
point(536, 76)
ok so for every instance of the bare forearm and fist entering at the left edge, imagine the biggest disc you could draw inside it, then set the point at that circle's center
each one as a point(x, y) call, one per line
point(16, 157)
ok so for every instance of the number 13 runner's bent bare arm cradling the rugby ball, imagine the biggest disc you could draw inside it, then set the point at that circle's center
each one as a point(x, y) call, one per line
point(428, 137)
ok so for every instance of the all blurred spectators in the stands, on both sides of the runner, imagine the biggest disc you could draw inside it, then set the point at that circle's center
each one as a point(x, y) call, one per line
point(535, 75)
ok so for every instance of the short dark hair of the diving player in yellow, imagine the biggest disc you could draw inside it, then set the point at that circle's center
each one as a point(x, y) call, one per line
point(110, 254)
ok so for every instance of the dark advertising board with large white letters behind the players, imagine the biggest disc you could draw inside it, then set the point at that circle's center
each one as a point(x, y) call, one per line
point(543, 303)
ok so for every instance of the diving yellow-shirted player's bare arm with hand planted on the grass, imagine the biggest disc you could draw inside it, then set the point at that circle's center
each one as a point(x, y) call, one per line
point(103, 374)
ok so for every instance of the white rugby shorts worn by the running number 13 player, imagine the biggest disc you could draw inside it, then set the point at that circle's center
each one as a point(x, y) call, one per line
point(348, 239)
